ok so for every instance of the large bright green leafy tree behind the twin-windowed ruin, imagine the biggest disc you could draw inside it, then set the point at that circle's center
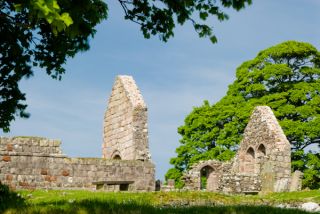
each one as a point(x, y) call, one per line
point(285, 77)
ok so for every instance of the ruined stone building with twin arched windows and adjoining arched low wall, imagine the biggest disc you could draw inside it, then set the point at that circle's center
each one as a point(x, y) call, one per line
point(262, 163)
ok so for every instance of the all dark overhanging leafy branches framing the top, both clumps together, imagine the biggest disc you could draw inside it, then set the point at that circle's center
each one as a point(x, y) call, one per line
point(44, 33)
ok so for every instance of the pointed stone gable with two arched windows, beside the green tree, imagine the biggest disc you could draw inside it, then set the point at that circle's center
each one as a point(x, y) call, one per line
point(265, 151)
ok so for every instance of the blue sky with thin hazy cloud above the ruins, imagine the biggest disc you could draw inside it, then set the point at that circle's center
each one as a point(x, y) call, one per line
point(173, 77)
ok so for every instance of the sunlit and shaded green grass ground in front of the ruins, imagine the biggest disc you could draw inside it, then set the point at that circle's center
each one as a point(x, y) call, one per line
point(41, 201)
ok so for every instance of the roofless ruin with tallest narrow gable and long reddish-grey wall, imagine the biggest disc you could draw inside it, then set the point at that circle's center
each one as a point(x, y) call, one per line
point(38, 163)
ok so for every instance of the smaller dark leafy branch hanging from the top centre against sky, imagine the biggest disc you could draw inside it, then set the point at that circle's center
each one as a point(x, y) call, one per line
point(157, 18)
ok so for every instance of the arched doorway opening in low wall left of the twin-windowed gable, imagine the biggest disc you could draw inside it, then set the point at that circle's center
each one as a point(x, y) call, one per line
point(209, 179)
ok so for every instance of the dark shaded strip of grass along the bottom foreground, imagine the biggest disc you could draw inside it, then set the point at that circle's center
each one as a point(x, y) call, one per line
point(103, 206)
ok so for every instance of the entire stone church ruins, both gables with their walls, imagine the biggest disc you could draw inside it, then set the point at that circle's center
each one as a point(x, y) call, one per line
point(262, 163)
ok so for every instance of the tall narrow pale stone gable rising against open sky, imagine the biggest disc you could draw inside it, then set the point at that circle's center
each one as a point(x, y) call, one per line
point(125, 134)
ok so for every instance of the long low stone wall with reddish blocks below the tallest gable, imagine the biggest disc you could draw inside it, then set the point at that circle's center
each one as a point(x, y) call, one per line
point(33, 163)
